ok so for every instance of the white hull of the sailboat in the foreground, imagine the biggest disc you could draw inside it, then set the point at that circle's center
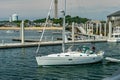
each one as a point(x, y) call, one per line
point(73, 59)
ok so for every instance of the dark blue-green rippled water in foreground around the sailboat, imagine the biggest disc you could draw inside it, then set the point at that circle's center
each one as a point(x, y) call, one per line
point(20, 64)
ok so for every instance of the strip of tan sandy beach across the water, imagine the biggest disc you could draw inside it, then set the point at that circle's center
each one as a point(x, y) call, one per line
point(31, 28)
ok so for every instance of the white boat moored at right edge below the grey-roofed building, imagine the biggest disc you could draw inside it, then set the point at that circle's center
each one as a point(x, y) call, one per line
point(115, 35)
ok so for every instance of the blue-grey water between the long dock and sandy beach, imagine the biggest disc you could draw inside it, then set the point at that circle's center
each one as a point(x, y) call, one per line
point(29, 34)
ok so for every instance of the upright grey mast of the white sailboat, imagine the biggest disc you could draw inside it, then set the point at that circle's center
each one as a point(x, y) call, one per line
point(63, 34)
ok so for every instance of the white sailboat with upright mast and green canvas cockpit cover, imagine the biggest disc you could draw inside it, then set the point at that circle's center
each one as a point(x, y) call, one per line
point(69, 57)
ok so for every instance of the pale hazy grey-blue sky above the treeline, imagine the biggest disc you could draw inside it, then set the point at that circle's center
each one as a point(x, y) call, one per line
point(36, 9)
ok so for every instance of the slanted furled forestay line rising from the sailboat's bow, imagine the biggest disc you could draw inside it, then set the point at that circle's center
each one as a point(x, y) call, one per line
point(46, 22)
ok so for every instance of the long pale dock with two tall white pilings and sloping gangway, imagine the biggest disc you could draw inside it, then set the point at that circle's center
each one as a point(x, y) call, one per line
point(34, 43)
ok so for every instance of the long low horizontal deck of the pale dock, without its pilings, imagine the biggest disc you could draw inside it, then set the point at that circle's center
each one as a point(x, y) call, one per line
point(47, 43)
